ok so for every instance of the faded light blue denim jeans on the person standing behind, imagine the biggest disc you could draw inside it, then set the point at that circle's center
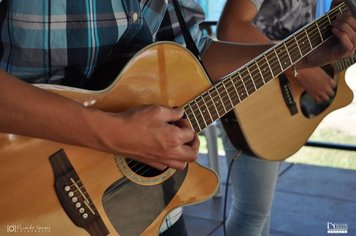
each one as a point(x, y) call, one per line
point(253, 182)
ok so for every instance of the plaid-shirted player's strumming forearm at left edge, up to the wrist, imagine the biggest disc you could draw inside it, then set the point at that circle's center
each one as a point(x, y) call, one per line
point(30, 111)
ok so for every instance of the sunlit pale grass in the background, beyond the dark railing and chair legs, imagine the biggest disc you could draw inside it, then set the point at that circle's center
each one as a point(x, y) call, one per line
point(313, 155)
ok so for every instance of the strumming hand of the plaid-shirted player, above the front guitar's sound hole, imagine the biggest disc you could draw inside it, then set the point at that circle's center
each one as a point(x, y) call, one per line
point(154, 135)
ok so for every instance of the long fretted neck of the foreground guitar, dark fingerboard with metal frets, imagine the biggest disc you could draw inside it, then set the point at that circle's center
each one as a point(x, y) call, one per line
point(242, 83)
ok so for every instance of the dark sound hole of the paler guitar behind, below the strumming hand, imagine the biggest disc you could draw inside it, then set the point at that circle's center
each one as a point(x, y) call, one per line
point(310, 107)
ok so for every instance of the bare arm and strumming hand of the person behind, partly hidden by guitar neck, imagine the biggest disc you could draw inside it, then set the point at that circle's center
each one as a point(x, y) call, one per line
point(236, 24)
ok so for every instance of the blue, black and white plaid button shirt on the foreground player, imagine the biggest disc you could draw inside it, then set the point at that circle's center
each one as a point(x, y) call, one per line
point(41, 39)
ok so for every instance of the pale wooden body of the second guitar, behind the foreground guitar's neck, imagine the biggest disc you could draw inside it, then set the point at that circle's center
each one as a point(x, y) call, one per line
point(264, 126)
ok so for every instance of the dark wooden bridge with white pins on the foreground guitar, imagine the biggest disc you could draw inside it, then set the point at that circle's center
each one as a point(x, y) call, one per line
point(73, 196)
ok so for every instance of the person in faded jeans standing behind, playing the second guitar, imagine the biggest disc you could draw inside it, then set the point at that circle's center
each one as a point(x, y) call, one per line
point(253, 180)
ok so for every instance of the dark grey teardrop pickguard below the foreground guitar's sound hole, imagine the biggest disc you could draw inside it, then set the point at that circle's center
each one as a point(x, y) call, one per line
point(138, 209)
